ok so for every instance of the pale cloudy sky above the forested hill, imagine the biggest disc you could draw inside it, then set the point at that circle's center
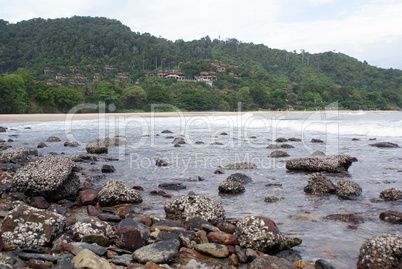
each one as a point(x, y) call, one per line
point(368, 30)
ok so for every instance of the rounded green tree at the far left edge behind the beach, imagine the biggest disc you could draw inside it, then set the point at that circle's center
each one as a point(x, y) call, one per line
point(13, 96)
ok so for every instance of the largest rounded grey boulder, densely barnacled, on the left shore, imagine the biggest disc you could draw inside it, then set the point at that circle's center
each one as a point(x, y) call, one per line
point(51, 177)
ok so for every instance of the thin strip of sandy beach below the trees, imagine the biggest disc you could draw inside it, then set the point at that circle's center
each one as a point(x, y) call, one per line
point(14, 118)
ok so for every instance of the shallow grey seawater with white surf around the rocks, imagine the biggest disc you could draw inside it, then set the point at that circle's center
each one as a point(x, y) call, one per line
point(298, 215)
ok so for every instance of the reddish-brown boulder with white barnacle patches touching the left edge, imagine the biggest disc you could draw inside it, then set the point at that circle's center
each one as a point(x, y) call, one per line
point(29, 227)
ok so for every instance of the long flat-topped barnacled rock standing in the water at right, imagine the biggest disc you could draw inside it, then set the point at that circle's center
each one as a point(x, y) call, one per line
point(329, 163)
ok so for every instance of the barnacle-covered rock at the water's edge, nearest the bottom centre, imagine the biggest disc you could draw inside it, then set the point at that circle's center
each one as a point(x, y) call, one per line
point(191, 206)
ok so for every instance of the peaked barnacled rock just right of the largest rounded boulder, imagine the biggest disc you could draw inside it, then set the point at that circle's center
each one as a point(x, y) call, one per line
point(115, 192)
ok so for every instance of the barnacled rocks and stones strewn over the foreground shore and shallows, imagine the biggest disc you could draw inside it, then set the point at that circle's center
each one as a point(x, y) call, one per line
point(40, 196)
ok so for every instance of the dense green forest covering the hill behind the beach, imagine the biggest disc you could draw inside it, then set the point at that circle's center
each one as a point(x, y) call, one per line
point(255, 75)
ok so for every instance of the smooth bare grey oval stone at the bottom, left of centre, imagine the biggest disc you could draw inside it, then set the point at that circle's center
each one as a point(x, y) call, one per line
point(159, 252)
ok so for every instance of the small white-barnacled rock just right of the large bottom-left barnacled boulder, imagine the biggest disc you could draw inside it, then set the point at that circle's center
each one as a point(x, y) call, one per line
point(91, 226)
